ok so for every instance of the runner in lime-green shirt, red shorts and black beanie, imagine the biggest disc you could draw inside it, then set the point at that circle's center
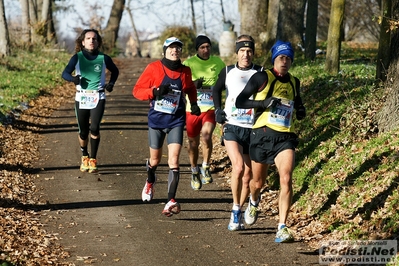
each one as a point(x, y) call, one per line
point(205, 69)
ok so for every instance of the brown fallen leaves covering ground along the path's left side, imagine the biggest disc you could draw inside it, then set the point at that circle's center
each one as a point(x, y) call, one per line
point(23, 240)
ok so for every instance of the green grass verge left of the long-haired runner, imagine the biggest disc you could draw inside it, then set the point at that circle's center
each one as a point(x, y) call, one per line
point(26, 75)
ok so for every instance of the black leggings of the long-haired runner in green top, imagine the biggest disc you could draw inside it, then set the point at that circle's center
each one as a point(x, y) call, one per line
point(83, 116)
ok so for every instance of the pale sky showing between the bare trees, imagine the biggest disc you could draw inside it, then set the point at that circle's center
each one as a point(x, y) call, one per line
point(149, 15)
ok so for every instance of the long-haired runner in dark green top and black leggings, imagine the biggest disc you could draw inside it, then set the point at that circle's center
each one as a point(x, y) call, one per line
point(89, 66)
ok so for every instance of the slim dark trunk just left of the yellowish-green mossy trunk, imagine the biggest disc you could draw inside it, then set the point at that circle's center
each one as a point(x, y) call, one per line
point(311, 29)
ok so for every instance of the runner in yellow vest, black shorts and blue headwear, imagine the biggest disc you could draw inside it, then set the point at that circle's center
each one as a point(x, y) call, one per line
point(273, 140)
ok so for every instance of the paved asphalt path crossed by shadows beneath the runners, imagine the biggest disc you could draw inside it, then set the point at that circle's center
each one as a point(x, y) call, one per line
point(100, 218)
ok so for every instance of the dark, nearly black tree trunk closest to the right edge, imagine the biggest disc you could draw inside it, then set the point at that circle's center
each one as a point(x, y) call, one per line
point(384, 42)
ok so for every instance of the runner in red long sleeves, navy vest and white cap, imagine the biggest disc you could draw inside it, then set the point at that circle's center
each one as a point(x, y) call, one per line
point(165, 83)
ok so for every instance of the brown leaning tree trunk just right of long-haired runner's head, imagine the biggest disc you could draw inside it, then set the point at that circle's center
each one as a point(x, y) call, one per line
point(112, 28)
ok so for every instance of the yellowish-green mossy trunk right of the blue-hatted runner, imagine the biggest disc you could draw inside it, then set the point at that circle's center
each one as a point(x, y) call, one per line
point(334, 36)
